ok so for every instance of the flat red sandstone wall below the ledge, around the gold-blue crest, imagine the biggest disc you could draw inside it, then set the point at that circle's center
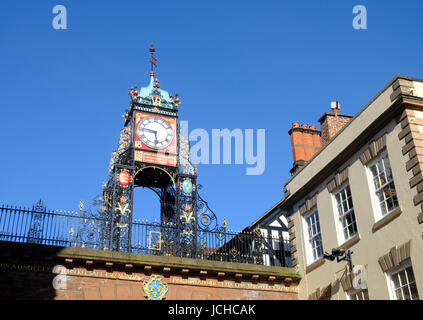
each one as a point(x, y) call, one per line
point(16, 285)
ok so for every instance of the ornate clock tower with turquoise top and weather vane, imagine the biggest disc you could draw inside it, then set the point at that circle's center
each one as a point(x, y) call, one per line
point(151, 154)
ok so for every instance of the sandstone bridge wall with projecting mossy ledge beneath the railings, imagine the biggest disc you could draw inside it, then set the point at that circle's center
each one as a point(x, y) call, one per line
point(30, 271)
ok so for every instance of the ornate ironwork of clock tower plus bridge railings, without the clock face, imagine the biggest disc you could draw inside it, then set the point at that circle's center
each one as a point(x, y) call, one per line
point(187, 227)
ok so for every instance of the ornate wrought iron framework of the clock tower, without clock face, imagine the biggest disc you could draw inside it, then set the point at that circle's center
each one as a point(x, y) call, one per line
point(175, 184)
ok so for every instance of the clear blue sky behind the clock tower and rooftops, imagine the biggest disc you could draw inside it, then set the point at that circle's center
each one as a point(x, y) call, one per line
point(235, 64)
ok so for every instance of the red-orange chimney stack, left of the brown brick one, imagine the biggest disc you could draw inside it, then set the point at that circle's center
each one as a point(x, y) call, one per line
point(305, 143)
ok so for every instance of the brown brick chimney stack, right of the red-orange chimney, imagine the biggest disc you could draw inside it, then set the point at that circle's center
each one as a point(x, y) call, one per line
point(332, 122)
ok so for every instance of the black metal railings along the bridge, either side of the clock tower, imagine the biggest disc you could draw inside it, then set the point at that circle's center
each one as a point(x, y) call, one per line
point(83, 230)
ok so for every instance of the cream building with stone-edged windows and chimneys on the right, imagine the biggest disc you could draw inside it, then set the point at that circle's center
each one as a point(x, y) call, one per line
point(361, 191)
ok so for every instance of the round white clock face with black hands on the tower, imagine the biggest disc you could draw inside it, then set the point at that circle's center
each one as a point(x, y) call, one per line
point(155, 132)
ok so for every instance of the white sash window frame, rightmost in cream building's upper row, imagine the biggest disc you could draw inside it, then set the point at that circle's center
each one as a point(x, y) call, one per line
point(375, 201)
